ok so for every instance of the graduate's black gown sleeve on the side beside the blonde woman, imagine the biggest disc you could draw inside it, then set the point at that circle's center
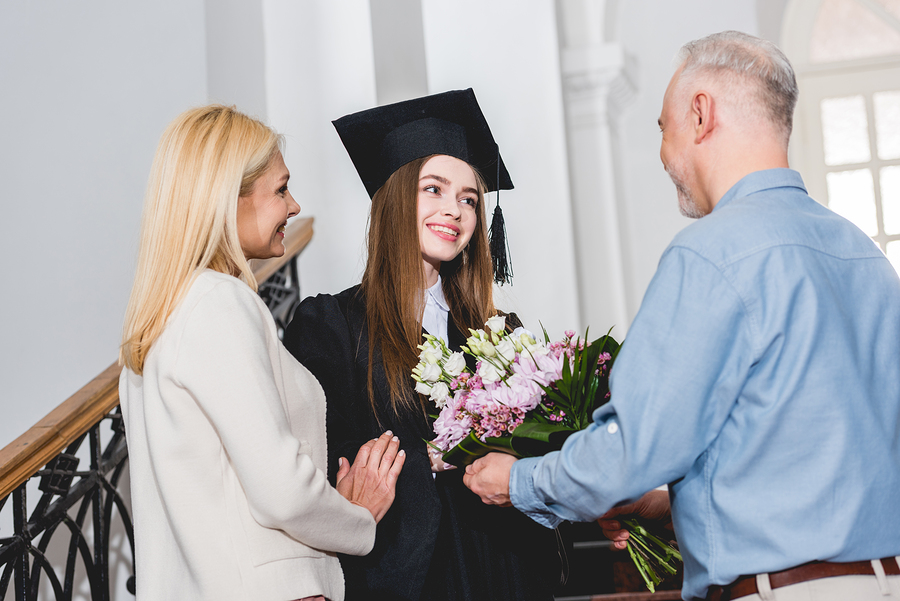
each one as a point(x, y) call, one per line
point(321, 338)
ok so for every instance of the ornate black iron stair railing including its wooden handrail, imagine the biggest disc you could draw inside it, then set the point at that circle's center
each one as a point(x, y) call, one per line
point(88, 503)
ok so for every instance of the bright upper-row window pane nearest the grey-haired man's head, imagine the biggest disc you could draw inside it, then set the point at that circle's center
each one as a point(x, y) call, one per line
point(845, 130)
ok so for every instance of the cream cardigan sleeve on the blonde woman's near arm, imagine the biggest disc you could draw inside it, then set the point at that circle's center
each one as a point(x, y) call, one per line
point(225, 361)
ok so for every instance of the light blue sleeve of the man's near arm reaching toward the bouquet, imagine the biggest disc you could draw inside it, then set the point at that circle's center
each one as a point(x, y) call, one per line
point(674, 383)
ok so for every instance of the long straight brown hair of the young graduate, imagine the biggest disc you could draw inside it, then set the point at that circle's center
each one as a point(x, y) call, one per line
point(394, 282)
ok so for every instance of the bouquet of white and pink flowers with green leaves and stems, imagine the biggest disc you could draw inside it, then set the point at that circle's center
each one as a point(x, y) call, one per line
point(525, 398)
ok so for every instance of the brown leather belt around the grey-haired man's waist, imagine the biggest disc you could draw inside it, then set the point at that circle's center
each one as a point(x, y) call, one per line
point(746, 585)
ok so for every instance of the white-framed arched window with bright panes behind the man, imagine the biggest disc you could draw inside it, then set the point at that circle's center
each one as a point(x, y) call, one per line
point(847, 126)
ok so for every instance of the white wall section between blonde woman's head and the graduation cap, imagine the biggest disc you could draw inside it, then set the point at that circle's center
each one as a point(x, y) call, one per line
point(319, 68)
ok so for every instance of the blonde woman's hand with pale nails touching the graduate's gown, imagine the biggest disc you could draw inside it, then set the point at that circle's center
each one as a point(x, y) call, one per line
point(371, 480)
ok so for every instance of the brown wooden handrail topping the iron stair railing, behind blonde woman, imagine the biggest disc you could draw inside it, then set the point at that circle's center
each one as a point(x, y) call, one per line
point(24, 456)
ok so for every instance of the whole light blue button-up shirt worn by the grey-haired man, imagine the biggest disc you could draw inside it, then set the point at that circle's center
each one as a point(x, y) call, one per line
point(761, 380)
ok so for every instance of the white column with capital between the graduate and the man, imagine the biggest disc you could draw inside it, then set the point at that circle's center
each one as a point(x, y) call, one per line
point(593, 83)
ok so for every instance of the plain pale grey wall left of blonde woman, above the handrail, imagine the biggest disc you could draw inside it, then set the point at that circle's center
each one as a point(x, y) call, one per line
point(86, 88)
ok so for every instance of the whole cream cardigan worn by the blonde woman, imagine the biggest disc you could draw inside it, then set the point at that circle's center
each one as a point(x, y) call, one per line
point(226, 442)
